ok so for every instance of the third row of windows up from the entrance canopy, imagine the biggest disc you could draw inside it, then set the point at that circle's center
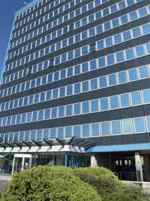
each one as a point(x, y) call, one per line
point(105, 81)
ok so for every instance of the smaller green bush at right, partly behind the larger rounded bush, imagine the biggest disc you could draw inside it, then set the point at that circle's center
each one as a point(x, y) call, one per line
point(108, 186)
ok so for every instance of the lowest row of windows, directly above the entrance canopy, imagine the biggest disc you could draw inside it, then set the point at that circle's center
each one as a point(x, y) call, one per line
point(98, 129)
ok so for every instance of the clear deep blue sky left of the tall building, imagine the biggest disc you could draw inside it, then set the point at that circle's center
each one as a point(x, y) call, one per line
point(7, 11)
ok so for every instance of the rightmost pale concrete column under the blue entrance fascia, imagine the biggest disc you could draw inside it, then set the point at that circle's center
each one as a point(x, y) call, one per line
point(139, 167)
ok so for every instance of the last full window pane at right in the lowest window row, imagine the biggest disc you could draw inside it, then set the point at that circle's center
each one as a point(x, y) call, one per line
point(139, 124)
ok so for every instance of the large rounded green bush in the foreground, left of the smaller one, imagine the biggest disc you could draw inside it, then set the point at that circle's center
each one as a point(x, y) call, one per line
point(49, 184)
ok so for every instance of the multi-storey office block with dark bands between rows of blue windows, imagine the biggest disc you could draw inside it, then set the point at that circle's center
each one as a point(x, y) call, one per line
point(76, 86)
